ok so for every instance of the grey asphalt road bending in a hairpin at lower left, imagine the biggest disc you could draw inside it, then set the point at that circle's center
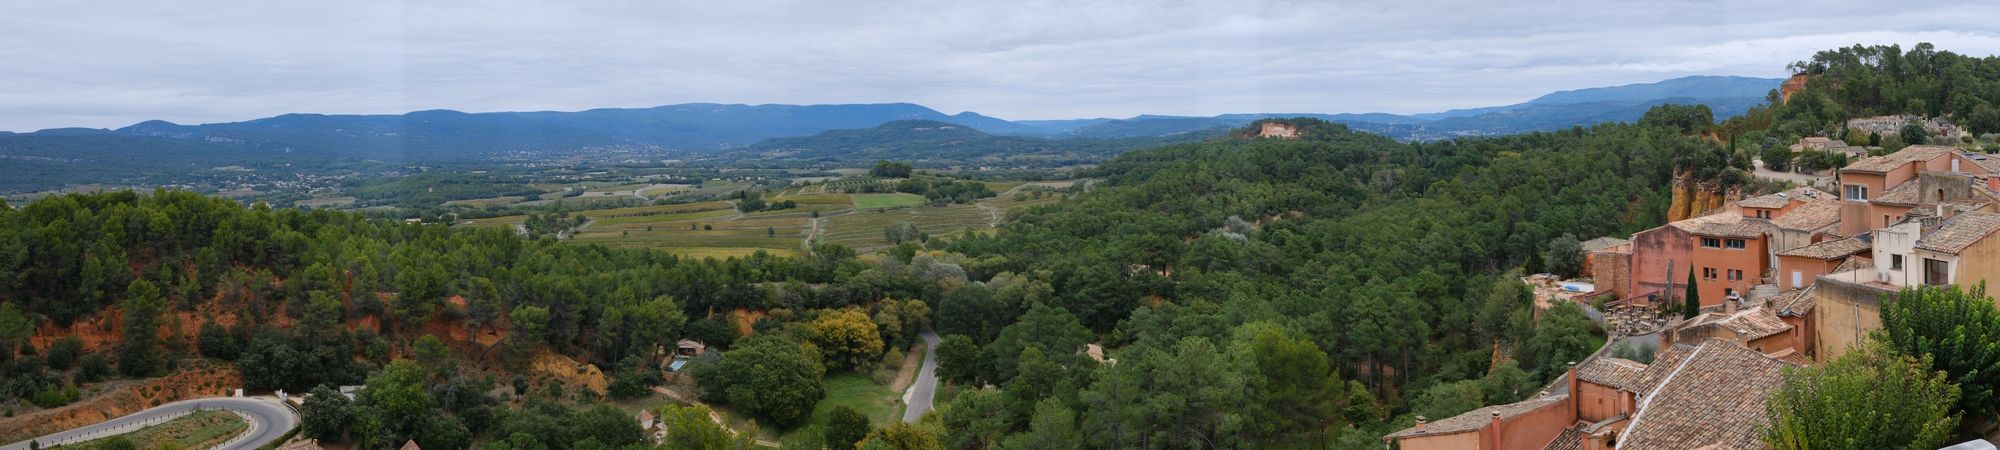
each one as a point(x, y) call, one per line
point(267, 423)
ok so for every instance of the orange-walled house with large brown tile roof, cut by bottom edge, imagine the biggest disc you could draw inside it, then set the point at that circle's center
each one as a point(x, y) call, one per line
point(1691, 397)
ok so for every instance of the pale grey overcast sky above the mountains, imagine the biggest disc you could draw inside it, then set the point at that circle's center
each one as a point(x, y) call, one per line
point(115, 63)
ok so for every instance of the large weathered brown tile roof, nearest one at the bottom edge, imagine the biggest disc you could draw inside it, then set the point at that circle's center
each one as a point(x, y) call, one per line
point(1709, 395)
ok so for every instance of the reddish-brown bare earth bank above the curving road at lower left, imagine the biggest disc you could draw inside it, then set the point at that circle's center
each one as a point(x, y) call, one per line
point(121, 401)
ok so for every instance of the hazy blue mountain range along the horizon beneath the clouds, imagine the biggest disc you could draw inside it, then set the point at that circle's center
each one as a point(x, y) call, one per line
point(797, 133)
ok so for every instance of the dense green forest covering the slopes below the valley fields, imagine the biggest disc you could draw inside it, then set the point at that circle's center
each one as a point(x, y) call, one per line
point(1265, 293)
